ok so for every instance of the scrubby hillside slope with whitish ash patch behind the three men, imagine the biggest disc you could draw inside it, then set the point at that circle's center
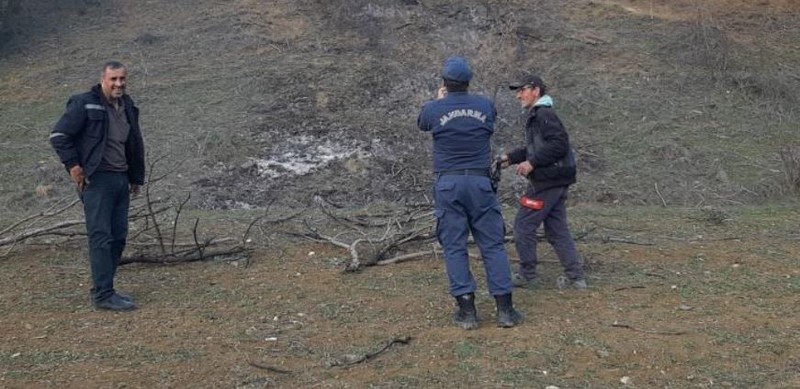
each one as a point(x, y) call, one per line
point(255, 101)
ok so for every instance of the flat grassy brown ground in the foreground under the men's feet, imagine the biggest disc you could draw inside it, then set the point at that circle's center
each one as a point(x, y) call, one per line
point(678, 298)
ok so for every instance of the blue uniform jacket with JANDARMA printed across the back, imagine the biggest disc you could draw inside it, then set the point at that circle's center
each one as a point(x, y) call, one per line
point(462, 125)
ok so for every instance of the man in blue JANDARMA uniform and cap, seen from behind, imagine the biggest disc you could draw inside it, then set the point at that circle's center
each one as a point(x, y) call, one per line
point(462, 125)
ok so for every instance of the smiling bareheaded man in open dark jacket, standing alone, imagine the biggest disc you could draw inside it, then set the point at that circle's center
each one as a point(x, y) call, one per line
point(99, 142)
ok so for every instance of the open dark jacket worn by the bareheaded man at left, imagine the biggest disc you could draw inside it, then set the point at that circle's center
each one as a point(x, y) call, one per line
point(79, 137)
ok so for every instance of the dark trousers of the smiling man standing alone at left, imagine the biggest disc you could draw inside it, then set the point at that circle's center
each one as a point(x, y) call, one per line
point(105, 204)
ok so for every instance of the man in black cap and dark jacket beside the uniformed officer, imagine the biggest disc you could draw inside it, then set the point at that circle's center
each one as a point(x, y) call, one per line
point(548, 161)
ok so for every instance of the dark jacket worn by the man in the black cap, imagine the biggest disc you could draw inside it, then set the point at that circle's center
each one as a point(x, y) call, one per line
point(547, 149)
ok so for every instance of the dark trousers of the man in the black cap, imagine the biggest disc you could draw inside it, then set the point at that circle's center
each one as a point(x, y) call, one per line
point(556, 229)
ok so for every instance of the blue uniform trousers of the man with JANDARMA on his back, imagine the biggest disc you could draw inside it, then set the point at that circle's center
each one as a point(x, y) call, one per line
point(464, 204)
